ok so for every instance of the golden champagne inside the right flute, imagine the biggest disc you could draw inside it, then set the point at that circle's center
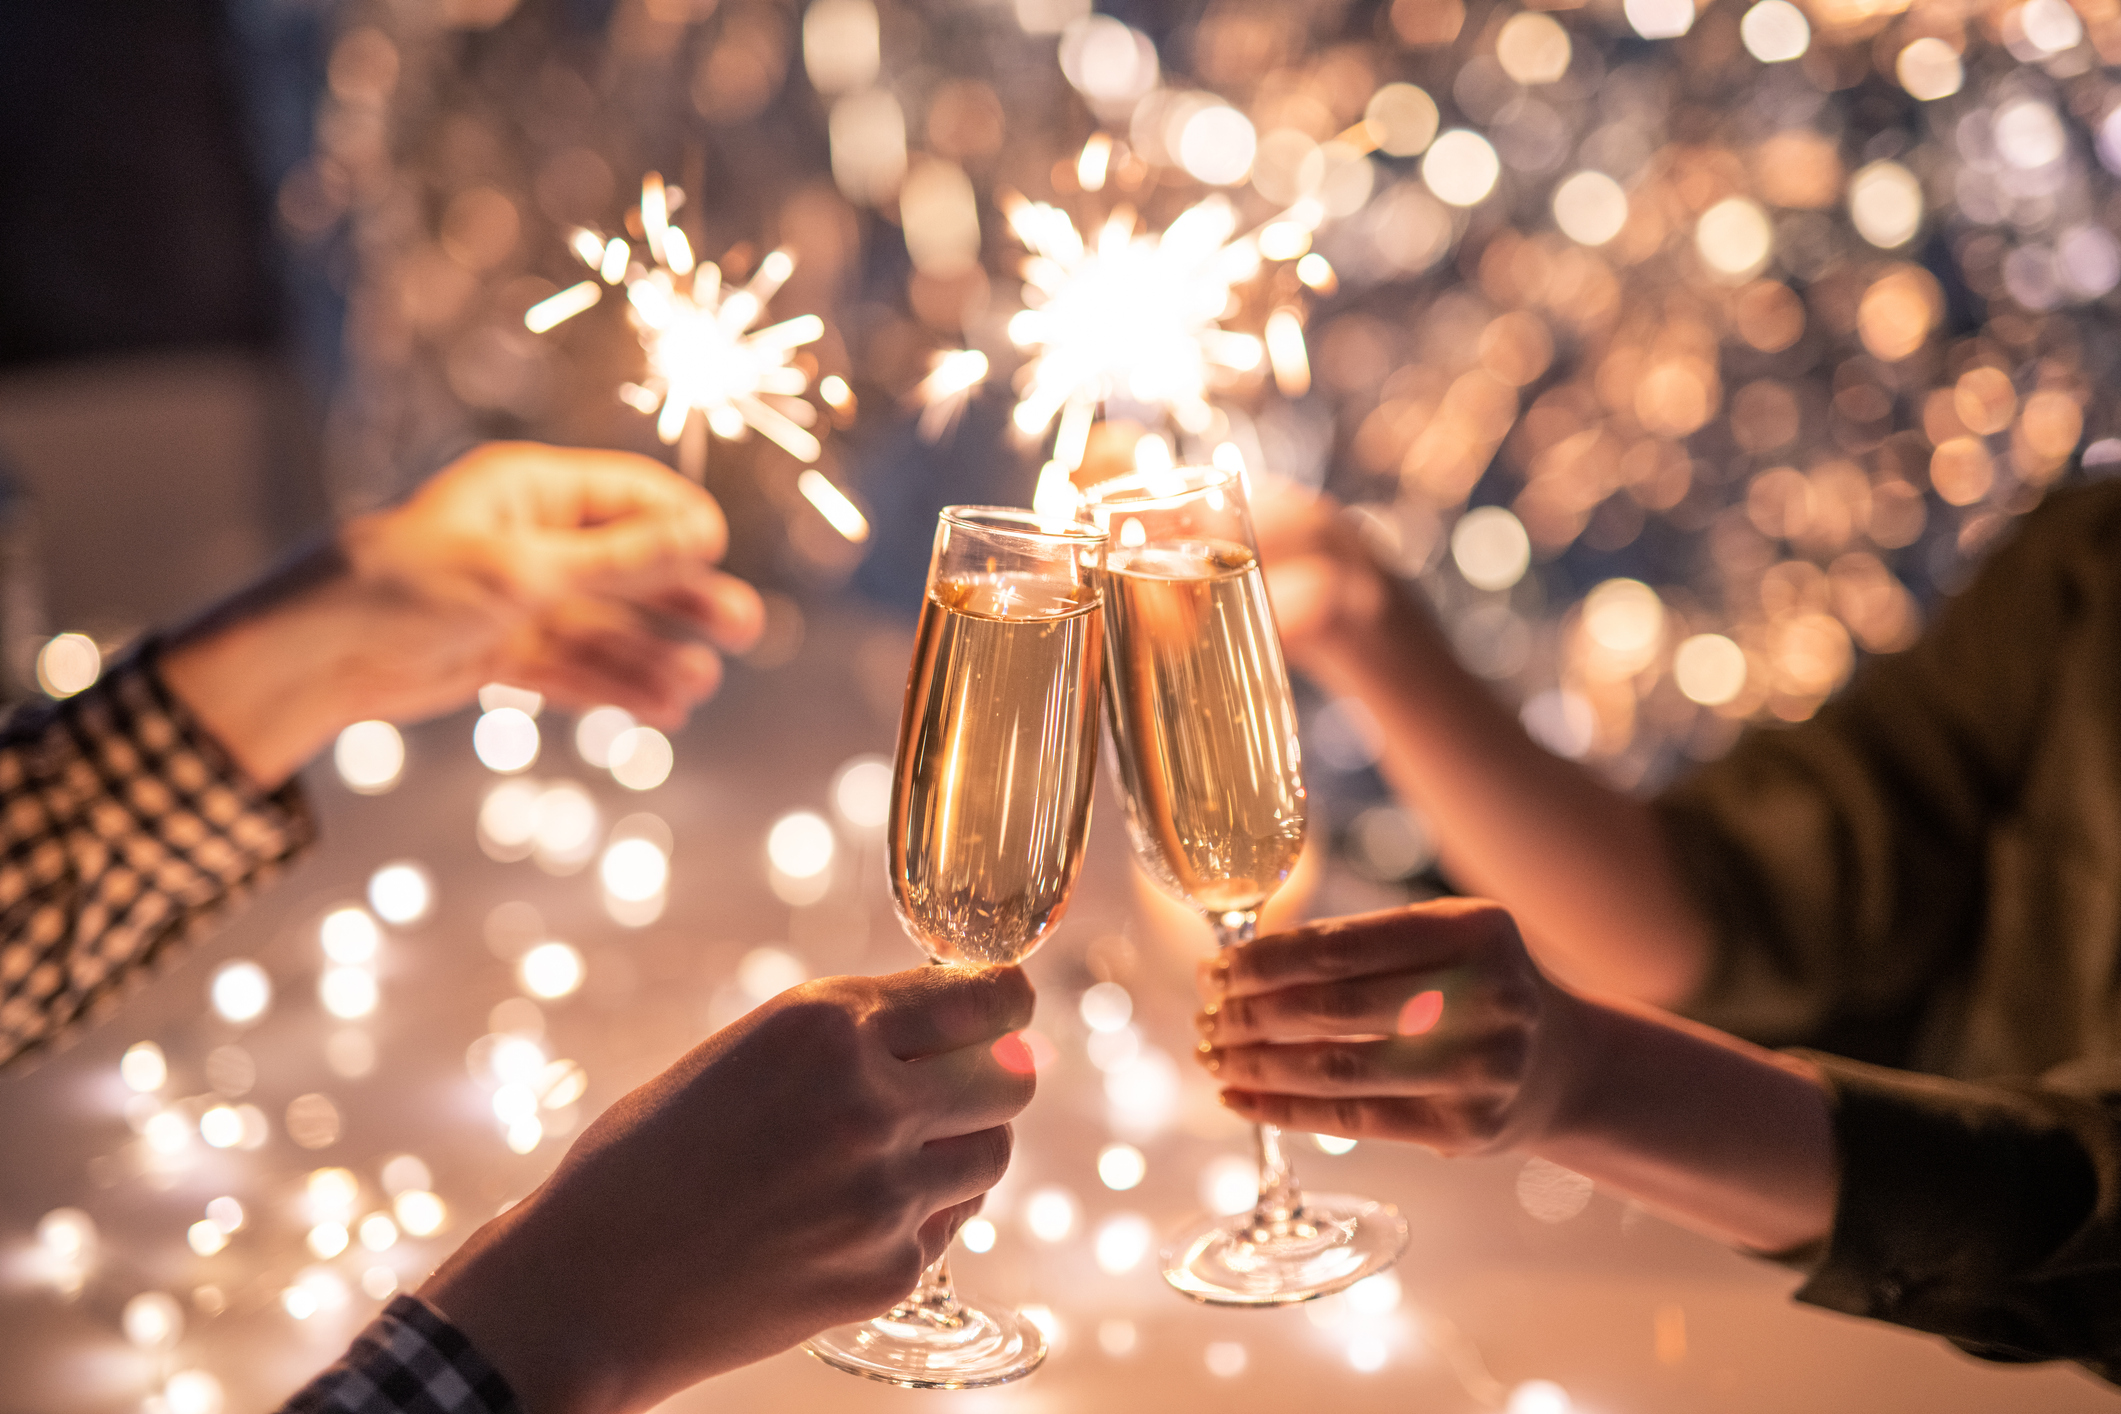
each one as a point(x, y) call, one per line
point(1204, 724)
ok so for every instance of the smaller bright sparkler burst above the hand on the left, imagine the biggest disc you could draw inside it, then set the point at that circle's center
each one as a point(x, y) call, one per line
point(703, 353)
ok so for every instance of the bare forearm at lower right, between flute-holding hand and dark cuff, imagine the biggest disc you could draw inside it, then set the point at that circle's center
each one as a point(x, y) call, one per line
point(1708, 1131)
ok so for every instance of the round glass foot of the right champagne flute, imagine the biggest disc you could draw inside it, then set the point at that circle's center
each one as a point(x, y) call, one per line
point(1329, 1245)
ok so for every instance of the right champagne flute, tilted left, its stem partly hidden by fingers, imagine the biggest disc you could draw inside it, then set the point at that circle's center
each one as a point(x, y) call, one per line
point(1206, 741)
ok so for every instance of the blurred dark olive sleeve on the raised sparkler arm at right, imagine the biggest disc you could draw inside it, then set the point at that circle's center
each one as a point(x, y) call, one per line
point(1842, 864)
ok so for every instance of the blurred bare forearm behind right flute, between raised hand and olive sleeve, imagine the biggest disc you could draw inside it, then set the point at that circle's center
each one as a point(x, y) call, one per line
point(1581, 866)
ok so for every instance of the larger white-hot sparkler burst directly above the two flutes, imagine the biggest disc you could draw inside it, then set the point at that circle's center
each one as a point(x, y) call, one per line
point(1132, 315)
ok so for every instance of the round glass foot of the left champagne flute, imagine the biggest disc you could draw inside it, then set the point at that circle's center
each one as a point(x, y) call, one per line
point(922, 1347)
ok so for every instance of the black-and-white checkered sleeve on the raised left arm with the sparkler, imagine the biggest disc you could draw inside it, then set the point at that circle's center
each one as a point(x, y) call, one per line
point(124, 828)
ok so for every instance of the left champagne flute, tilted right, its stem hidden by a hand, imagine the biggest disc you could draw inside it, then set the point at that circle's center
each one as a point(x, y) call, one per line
point(989, 817)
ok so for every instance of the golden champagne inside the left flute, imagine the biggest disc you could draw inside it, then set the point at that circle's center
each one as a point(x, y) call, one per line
point(998, 747)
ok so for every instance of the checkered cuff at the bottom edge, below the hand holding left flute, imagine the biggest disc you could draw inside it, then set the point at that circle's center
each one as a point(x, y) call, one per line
point(408, 1362)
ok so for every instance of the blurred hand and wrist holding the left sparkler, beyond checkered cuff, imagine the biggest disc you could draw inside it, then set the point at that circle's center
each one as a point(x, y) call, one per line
point(550, 569)
